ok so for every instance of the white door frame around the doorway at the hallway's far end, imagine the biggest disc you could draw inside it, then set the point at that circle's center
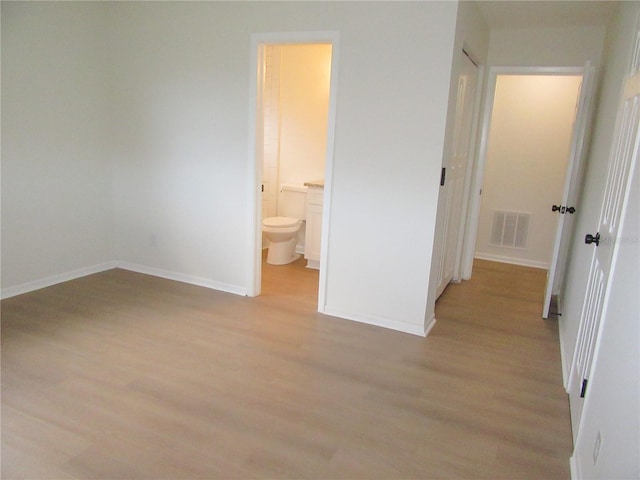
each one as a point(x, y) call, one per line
point(477, 179)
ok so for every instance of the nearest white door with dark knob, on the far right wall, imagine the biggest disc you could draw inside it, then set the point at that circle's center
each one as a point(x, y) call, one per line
point(624, 156)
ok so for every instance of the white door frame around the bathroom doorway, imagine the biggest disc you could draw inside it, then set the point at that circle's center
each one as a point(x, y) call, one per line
point(254, 208)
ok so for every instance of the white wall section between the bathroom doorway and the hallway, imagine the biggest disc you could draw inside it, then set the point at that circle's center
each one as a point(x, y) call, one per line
point(388, 151)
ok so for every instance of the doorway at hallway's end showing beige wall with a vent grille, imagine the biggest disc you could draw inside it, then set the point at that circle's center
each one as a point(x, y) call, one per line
point(523, 170)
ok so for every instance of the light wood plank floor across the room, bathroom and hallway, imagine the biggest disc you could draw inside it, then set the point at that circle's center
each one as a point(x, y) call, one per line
point(125, 376)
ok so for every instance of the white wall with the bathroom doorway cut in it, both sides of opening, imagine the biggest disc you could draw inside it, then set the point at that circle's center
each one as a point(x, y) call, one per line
point(182, 104)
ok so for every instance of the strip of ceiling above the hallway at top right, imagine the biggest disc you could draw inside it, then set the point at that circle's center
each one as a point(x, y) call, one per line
point(542, 13)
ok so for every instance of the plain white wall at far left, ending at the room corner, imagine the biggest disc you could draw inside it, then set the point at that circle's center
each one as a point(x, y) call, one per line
point(57, 215)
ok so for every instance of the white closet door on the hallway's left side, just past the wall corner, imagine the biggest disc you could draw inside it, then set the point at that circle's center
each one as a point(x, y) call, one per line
point(455, 176)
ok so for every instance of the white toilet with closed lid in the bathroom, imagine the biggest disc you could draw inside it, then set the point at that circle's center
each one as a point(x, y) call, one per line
point(282, 231)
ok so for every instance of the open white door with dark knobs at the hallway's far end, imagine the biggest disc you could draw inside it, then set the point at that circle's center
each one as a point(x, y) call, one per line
point(573, 180)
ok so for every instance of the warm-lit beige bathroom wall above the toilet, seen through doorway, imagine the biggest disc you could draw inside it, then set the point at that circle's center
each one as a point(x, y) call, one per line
point(295, 110)
